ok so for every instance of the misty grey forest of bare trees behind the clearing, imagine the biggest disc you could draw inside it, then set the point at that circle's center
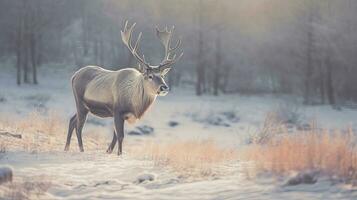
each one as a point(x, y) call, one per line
point(307, 48)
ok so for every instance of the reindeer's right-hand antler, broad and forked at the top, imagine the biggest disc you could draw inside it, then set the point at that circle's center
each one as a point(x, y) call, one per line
point(165, 38)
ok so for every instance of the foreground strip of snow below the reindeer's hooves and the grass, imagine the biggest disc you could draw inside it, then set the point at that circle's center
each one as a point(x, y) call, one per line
point(94, 175)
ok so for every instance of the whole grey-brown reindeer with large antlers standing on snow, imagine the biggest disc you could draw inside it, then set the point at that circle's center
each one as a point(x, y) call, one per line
point(125, 94)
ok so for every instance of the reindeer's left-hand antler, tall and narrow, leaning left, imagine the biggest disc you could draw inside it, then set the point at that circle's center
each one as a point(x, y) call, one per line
point(126, 35)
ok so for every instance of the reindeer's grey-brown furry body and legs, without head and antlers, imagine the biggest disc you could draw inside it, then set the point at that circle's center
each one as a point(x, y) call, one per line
point(124, 94)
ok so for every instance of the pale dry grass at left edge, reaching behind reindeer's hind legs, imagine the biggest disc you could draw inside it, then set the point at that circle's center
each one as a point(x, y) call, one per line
point(40, 132)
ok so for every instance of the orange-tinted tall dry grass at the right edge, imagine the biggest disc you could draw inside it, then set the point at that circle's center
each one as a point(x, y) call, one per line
point(331, 152)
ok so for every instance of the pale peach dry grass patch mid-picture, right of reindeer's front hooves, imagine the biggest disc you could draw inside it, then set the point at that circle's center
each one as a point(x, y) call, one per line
point(188, 158)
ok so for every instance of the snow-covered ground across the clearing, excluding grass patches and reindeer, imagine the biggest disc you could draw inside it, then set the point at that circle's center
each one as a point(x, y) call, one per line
point(180, 116)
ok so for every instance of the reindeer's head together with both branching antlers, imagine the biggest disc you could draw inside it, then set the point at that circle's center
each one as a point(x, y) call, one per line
point(153, 74)
